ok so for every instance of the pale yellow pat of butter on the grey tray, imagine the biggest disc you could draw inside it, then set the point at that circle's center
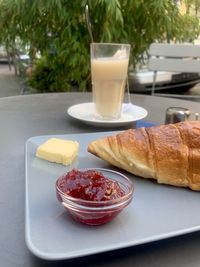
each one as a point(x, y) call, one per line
point(58, 150)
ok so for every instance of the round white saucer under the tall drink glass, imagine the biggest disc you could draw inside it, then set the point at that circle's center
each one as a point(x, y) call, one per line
point(85, 113)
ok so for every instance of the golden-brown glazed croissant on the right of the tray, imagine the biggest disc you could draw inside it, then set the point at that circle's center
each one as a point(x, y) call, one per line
point(168, 153)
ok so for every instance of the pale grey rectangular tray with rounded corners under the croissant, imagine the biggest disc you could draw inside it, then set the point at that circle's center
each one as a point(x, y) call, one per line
point(156, 212)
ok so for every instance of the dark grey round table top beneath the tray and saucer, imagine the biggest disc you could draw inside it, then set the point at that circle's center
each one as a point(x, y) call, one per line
point(22, 117)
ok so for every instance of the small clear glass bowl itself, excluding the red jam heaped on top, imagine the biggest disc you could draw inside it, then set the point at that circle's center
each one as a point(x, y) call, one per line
point(93, 212)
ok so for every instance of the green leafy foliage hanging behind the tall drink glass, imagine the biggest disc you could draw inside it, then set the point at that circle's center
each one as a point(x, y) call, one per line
point(55, 35)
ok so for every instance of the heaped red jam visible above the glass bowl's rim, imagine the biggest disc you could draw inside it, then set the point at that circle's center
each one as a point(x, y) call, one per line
point(90, 185)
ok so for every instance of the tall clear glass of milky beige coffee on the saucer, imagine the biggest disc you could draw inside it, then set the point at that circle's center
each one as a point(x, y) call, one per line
point(109, 67)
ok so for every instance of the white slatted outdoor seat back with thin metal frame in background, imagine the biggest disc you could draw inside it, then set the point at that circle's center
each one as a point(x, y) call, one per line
point(182, 58)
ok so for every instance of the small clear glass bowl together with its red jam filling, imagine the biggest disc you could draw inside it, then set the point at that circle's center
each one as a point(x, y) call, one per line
point(94, 196)
